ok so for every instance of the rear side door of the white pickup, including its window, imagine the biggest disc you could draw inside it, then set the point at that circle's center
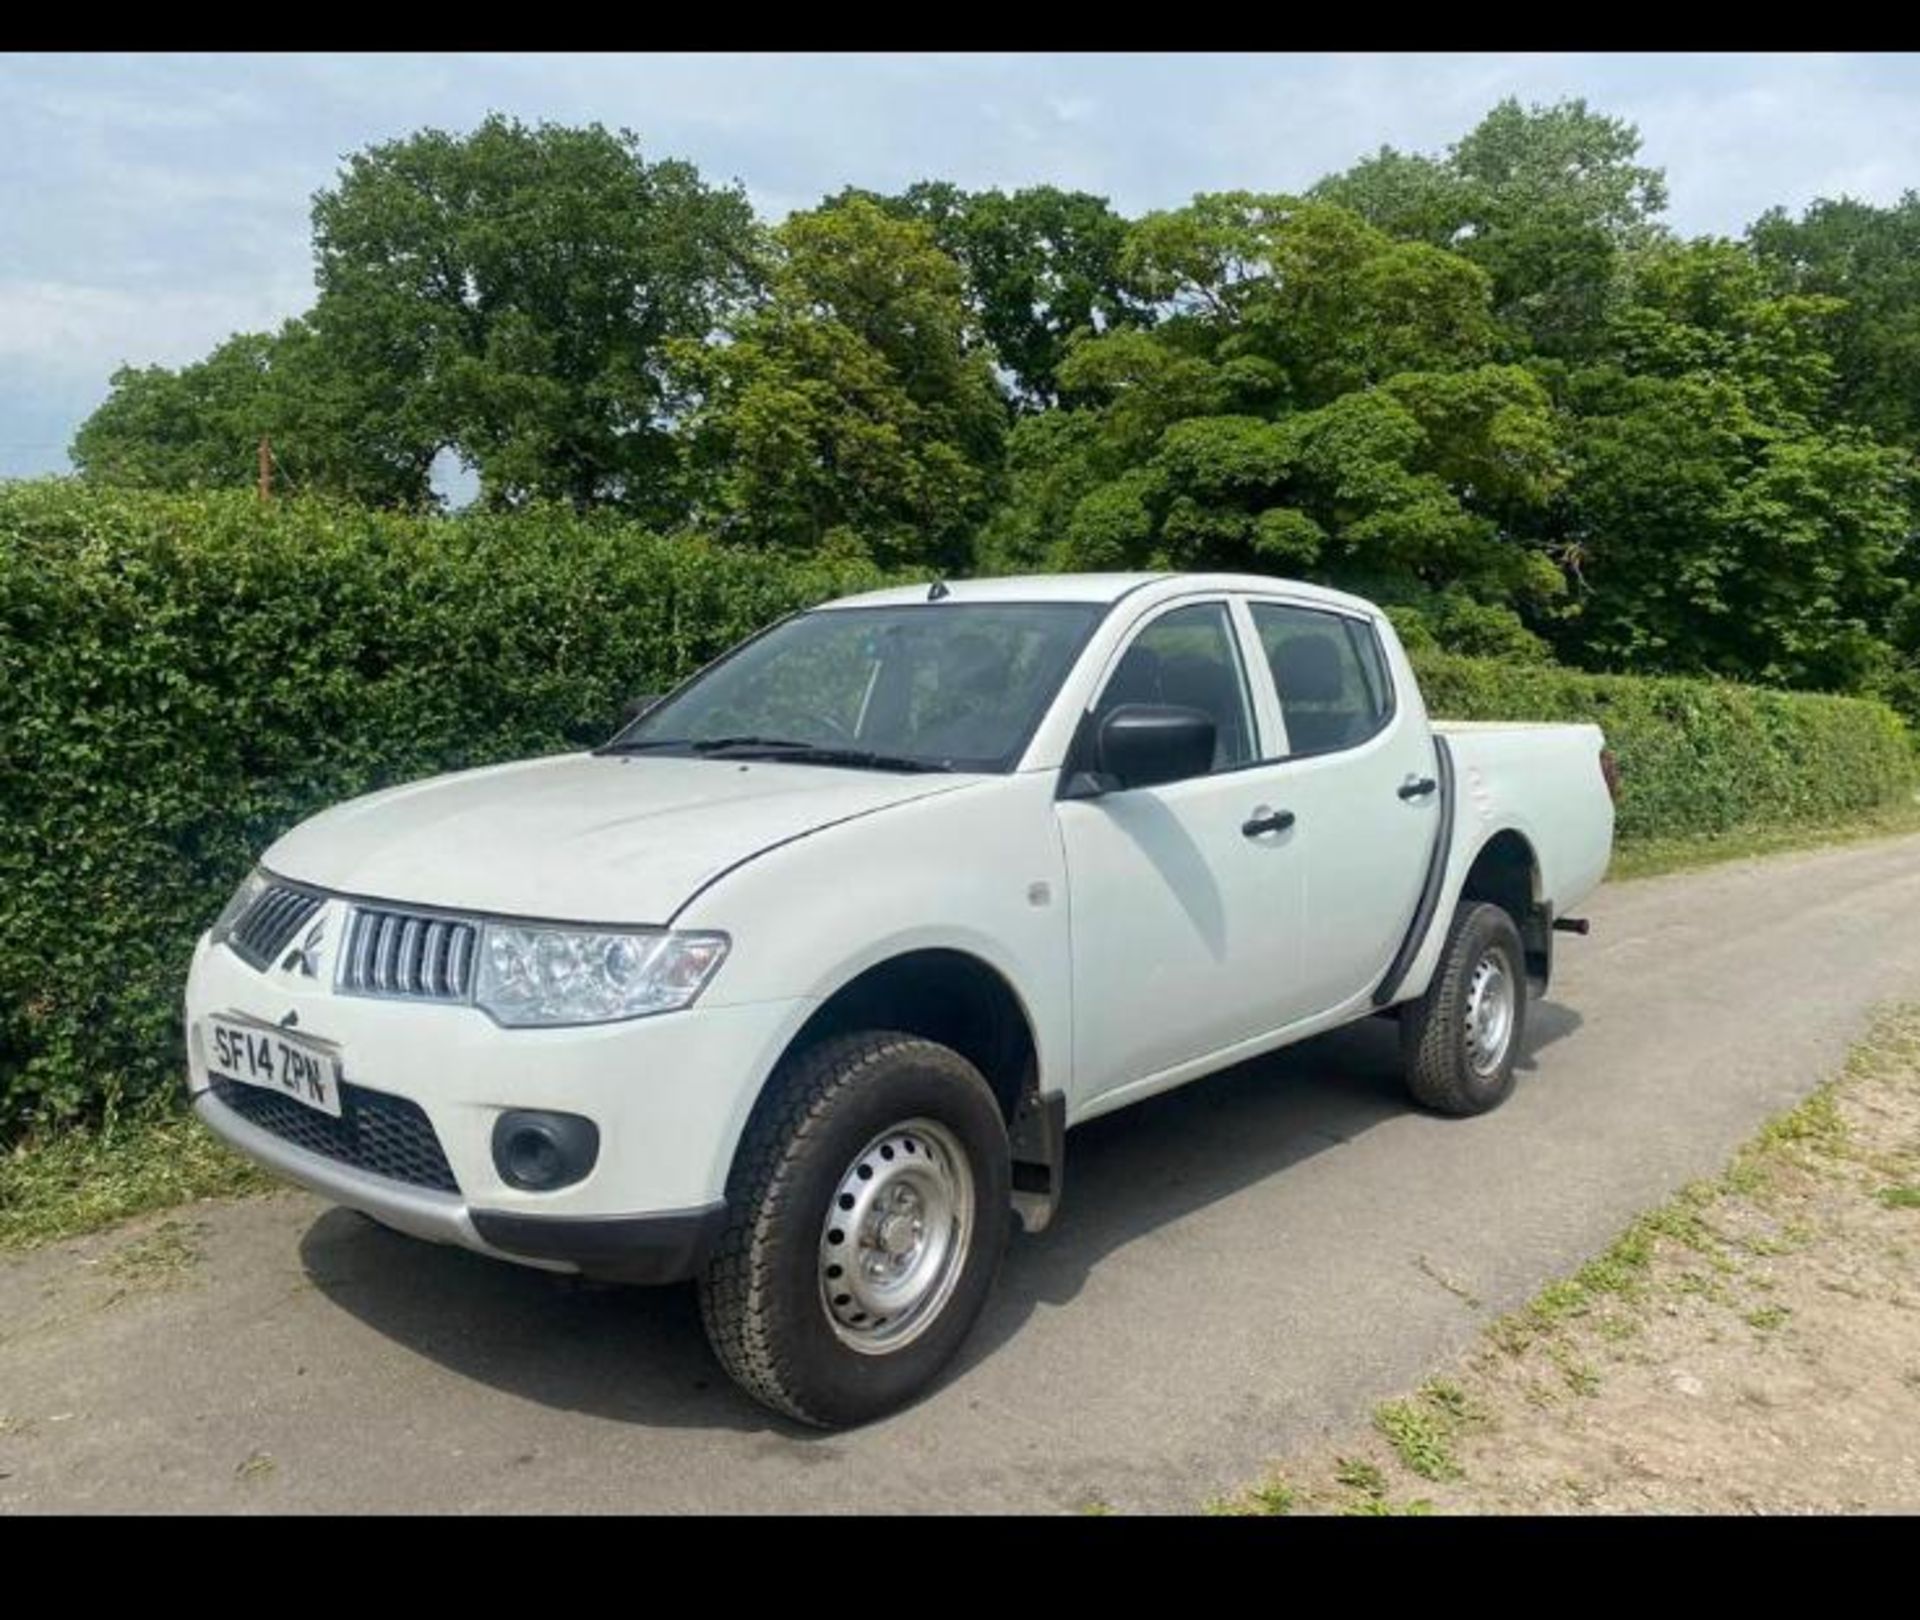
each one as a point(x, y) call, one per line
point(1360, 776)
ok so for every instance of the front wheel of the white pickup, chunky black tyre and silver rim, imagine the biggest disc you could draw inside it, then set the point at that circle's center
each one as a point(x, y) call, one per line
point(869, 1212)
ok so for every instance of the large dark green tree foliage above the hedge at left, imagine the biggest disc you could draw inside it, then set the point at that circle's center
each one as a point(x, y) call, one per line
point(508, 295)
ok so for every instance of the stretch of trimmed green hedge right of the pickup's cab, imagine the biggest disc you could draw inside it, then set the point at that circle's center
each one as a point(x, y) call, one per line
point(1700, 759)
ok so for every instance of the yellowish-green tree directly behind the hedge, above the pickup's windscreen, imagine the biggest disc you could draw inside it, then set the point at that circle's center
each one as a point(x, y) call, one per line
point(855, 406)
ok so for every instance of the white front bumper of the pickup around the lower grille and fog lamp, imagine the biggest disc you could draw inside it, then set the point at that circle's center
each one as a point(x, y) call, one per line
point(671, 1097)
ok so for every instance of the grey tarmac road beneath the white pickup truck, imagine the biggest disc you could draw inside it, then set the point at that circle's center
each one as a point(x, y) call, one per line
point(1241, 1268)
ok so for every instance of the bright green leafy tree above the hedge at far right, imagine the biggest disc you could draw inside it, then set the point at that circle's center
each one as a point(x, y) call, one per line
point(1719, 519)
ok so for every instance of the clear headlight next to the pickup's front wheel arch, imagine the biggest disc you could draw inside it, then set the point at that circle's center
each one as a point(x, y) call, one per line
point(533, 974)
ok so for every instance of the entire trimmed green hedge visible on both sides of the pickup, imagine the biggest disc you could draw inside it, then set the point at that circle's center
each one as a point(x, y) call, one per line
point(185, 677)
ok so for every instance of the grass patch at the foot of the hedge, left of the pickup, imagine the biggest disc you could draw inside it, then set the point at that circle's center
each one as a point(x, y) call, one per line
point(78, 1181)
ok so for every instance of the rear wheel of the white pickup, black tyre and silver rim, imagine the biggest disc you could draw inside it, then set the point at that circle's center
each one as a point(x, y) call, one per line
point(1458, 1041)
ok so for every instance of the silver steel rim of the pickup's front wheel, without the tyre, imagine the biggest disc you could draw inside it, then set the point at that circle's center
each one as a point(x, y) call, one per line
point(896, 1237)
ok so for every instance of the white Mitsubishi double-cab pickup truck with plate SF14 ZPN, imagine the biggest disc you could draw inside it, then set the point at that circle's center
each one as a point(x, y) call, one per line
point(798, 986)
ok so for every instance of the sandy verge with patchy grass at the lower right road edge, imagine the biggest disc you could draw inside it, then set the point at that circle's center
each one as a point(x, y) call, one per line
point(1750, 1323)
